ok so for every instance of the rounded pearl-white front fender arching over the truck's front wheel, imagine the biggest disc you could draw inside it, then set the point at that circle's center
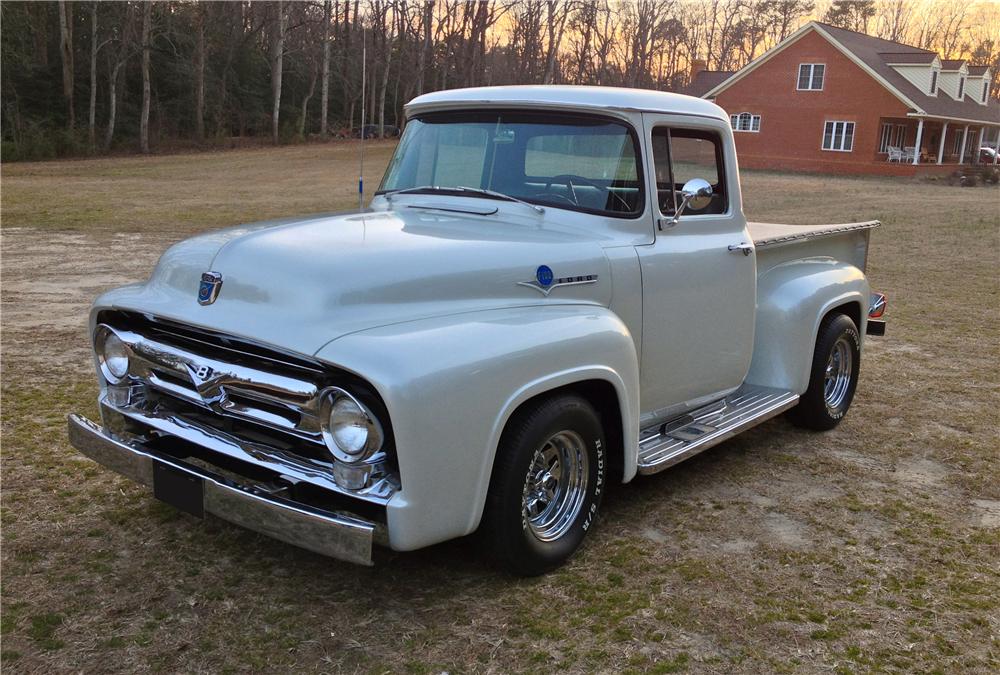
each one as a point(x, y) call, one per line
point(451, 383)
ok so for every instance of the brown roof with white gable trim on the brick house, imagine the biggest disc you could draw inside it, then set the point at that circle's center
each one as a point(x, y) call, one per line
point(870, 54)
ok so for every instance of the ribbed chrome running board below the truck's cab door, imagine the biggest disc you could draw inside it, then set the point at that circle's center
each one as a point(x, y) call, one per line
point(665, 444)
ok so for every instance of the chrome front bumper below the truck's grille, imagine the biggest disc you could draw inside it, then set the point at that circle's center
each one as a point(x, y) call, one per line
point(331, 534)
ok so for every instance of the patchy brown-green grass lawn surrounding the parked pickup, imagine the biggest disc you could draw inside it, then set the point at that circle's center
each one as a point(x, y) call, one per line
point(869, 548)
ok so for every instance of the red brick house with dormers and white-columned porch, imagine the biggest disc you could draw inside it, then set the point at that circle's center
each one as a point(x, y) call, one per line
point(831, 100)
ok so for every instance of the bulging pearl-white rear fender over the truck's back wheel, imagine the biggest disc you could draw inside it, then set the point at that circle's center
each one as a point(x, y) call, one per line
point(792, 299)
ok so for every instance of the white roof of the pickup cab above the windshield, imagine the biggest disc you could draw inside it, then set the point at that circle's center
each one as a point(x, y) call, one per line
point(566, 96)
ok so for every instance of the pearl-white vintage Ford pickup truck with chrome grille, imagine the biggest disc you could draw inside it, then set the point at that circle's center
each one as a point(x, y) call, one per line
point(553, 288)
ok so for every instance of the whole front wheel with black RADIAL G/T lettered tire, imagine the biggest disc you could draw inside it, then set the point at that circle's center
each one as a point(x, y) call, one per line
point(548, 480)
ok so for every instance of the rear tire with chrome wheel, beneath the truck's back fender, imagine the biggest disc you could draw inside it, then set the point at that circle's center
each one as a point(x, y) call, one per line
point(834, 375)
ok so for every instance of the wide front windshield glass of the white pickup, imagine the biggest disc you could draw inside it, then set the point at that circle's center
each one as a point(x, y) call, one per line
point(575, 162)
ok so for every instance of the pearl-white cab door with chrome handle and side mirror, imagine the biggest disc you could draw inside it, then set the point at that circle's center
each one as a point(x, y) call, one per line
point(699, 297)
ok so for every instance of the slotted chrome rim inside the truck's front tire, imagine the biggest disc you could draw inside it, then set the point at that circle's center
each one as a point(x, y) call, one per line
point(556, 486)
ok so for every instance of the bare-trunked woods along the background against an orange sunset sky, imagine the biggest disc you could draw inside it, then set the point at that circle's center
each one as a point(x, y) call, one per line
point(89, 77)
